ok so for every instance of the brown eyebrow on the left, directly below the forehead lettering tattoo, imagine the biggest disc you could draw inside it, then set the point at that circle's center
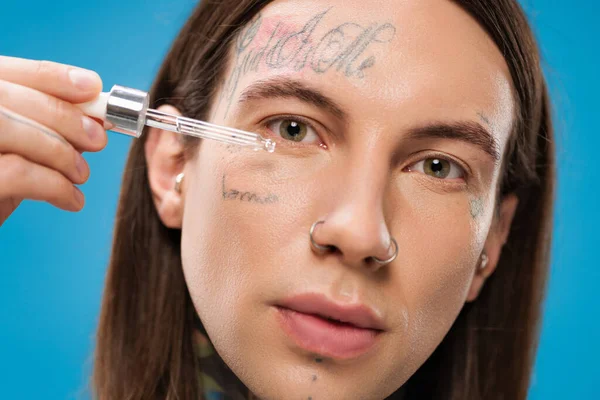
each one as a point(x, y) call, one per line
point(282, 87)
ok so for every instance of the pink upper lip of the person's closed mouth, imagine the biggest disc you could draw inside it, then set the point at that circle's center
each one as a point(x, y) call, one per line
point(356, 314)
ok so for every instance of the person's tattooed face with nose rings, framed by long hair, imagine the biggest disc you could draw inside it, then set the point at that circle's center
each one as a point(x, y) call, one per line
point(389, 119)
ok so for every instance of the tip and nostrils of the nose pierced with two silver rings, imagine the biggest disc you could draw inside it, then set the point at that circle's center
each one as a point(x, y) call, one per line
point(356, 232)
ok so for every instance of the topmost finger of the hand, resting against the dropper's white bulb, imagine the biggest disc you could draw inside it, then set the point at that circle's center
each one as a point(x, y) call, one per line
point(72, 84)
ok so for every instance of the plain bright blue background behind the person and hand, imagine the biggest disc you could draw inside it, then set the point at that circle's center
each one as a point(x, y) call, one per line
point(52, 263)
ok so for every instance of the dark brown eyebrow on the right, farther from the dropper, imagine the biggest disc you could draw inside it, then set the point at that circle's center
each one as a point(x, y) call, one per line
point(470, 132)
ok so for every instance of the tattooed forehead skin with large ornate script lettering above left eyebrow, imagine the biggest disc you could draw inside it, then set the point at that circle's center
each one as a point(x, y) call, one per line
point(343, 49)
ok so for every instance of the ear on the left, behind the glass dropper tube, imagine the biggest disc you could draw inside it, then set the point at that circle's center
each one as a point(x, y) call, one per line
point(164, 156)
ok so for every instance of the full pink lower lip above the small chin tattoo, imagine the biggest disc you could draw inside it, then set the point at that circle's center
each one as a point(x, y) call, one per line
point(318, 335)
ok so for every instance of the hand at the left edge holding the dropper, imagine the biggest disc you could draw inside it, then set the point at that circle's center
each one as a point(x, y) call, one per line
point(42, 133)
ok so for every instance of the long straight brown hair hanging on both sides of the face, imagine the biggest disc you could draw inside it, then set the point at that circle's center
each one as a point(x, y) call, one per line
point(144, 341)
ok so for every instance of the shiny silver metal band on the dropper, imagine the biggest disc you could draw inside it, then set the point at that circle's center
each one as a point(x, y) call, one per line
point(126, 110)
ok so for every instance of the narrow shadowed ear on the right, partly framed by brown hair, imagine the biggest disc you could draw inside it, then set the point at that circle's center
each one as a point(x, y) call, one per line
point(493, 246)
